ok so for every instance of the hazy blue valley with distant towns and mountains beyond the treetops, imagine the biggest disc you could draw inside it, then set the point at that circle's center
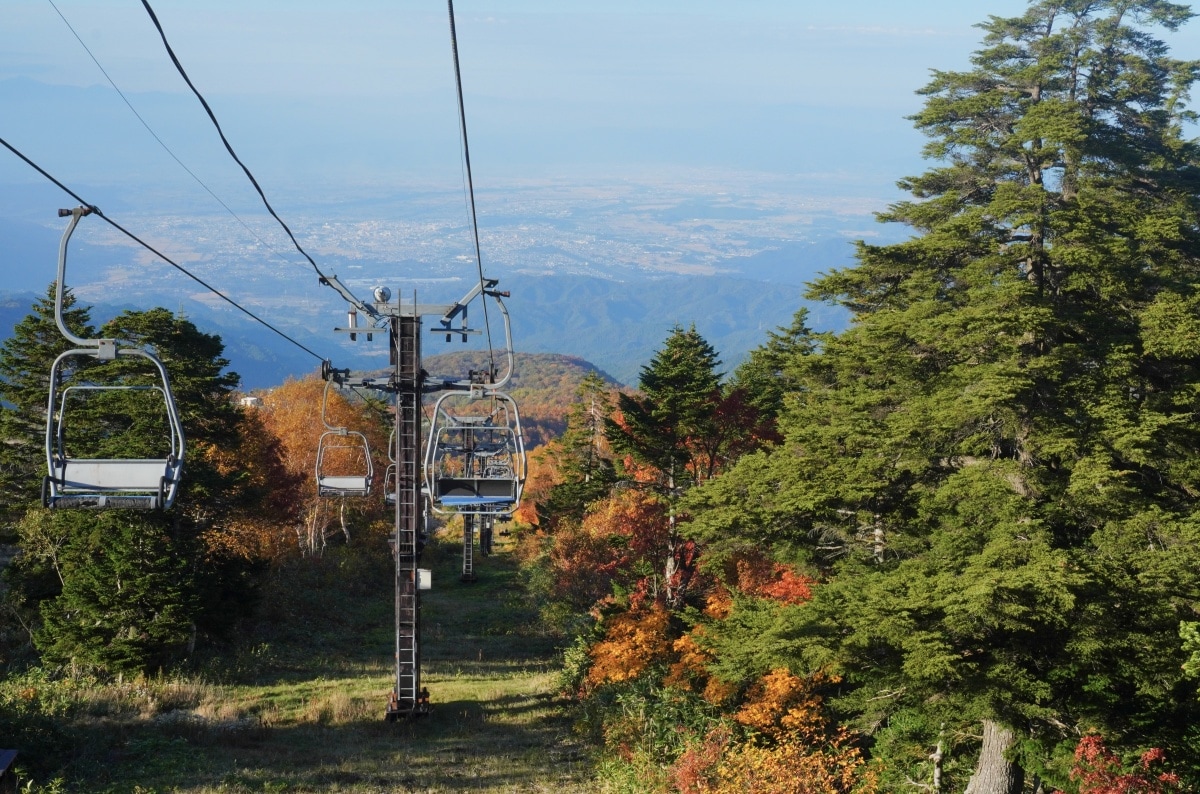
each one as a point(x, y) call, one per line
point(599, 272)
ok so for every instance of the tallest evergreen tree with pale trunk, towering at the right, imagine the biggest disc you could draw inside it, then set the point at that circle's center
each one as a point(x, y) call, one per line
point(997, 467)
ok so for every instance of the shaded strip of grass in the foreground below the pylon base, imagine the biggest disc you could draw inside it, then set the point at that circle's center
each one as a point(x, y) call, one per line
point(512, 743)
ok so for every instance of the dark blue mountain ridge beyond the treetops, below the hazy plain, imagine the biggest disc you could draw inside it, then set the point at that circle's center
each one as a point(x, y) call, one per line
point(615, 326)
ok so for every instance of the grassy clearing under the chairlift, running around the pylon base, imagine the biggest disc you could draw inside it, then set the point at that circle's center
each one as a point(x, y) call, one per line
point(304, 711)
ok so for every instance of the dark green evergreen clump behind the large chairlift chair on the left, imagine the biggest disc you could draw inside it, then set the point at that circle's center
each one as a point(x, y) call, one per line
point(127, 591)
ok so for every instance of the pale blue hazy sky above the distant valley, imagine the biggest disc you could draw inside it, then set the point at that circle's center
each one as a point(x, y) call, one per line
point(363, 89)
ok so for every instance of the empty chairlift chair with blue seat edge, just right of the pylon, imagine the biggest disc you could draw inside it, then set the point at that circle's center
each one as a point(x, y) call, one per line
point(476, 465)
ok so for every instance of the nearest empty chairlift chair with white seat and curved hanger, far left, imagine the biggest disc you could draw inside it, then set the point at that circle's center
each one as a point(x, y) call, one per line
point(83, 482)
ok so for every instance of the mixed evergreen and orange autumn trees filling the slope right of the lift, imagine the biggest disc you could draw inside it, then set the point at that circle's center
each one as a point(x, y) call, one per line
point(953, 549)
